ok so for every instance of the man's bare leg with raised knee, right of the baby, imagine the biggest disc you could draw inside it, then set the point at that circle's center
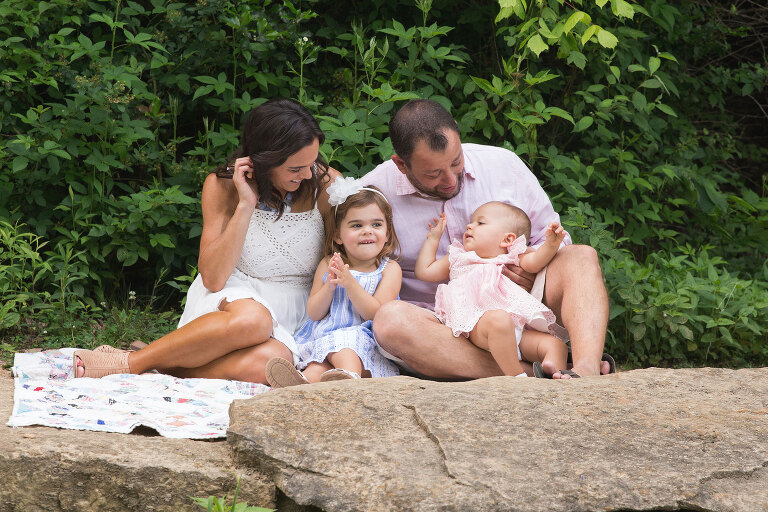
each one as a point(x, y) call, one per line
point(575, 292)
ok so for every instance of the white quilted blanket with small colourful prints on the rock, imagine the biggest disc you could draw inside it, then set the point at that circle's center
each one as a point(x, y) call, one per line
point(46, 394)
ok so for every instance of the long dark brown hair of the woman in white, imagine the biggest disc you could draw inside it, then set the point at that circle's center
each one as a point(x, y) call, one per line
point(273, 132)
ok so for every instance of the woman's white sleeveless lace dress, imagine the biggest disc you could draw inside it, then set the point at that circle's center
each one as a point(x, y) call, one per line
point(276, 268)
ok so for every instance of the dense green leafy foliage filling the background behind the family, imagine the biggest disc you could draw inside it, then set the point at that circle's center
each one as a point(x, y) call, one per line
point(643, 121)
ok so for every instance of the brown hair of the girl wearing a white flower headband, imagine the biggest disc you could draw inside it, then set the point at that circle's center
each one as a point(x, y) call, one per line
point(359, 200)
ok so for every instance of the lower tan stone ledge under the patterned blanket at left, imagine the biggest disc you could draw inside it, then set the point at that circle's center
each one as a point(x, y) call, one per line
point(48, 469)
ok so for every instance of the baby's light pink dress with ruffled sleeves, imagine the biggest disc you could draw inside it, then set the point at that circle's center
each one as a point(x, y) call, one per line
point(477, 286)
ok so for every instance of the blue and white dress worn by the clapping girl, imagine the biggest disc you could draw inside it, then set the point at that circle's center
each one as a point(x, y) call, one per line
point(342, 328)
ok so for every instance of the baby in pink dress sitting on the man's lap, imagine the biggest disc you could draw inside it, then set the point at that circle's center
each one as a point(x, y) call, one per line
point(485, 306)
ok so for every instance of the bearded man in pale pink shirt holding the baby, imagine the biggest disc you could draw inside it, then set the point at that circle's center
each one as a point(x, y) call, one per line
point(433, 173)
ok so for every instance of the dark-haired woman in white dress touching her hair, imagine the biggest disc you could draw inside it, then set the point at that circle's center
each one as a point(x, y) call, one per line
point(261, 242)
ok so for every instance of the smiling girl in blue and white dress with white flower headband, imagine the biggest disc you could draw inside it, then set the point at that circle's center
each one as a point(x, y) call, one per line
point(354, 278)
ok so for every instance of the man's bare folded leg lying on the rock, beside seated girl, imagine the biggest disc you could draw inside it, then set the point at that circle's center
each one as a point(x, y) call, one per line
point(414, 335)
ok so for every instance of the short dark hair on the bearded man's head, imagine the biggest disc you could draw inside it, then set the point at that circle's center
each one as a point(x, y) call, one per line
point(417, 120)
